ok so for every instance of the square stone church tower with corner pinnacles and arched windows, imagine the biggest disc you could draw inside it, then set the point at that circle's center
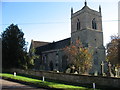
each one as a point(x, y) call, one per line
point(86, 26)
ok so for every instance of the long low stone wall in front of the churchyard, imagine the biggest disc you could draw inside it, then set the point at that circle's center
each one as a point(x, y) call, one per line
point(74, 78)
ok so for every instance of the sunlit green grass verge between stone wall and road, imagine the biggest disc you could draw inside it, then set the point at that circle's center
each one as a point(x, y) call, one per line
point(38, 82)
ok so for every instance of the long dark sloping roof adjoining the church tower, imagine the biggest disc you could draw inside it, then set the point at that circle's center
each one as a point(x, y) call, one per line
point(52, 46)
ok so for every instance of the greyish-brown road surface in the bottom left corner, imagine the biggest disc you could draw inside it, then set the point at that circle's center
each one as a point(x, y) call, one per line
point(9, 85)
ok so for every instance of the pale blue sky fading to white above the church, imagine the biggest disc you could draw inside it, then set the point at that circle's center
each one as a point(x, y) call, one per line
point(49, 20)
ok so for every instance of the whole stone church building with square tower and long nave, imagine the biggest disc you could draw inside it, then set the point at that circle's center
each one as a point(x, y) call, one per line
point(86, 25)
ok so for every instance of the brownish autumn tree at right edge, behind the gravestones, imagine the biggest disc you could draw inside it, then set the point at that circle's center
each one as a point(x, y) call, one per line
point(113, 50)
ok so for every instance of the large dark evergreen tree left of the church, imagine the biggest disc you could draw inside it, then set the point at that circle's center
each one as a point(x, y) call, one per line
point(13, 47)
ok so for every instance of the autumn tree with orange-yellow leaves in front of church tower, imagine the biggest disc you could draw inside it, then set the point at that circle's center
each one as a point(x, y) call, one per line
point(79, 56)
